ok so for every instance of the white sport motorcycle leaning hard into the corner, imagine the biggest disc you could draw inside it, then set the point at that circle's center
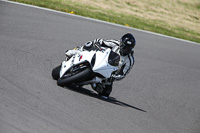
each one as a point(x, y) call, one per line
point(94, 67)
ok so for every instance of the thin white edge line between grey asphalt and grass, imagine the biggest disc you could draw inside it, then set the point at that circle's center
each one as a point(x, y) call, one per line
point(101, 21)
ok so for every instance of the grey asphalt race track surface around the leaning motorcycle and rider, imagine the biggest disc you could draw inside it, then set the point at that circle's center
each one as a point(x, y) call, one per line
point(160, 95)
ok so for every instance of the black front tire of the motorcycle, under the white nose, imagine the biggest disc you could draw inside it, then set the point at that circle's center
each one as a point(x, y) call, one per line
point(79, 77)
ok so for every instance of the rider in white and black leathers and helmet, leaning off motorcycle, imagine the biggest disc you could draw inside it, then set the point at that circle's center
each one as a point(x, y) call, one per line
point(123, 47)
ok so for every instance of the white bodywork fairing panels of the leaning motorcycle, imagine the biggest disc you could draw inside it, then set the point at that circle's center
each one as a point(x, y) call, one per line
point(101, 65)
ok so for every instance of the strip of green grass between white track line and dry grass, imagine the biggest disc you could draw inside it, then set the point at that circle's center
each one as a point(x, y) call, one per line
point(119, 18)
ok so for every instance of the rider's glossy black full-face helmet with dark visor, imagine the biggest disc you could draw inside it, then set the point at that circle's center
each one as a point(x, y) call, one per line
point(127, 43)
